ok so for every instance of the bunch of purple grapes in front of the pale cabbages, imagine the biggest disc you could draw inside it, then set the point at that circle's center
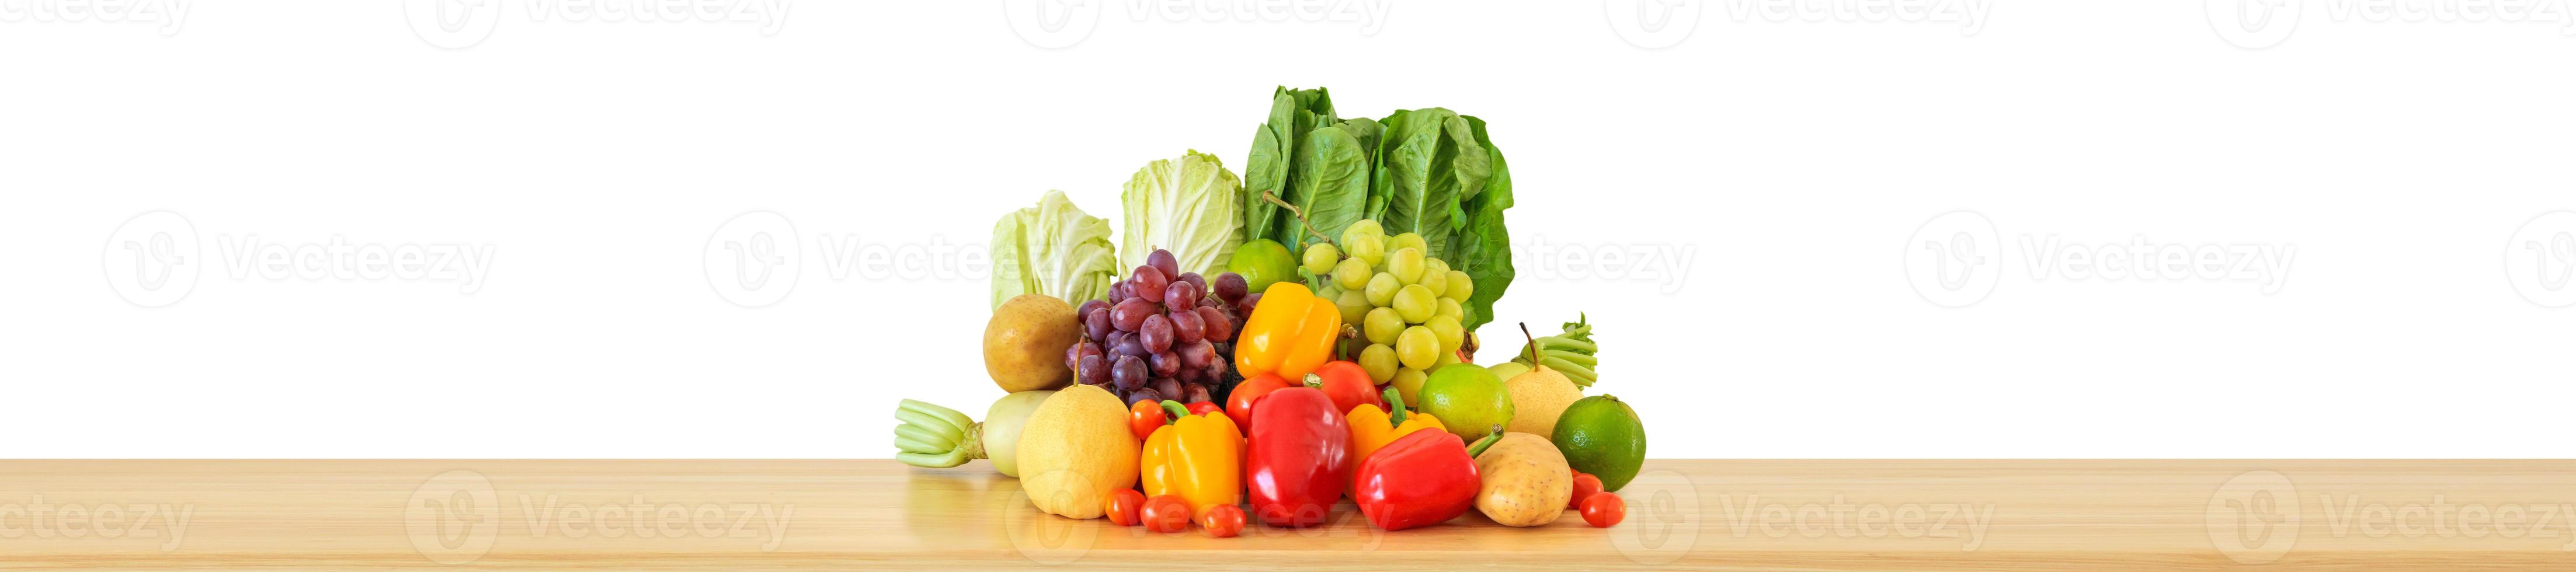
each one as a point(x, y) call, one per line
point(1163, 334)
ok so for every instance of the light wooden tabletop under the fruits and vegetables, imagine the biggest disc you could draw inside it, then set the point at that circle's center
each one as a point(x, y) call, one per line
point(887, 517)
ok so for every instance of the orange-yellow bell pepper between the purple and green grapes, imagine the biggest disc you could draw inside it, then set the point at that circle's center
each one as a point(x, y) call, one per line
point(1289, 334)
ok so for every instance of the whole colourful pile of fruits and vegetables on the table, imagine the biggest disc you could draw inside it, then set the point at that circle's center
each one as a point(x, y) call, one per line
point(1258, 349)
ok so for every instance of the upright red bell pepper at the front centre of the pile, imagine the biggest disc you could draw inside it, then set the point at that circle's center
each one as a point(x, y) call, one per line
point(1300, 457)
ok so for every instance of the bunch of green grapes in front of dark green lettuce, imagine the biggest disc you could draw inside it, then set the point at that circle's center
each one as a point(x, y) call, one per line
point(1403, 300)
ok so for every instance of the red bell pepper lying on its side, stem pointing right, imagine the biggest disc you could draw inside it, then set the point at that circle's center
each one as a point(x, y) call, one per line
point(1421, 481)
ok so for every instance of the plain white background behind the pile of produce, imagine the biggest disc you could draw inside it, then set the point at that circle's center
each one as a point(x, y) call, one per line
point(1792, 158)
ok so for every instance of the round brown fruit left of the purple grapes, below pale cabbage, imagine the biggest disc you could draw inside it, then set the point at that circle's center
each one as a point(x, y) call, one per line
point(1027, 339)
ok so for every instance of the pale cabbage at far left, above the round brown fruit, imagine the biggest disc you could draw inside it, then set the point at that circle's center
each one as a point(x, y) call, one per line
point(1052, 249)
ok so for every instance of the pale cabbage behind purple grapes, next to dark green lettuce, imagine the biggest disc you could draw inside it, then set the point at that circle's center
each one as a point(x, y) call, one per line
point(1189, 205)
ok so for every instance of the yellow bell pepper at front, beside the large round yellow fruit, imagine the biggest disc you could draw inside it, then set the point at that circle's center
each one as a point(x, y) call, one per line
point(1199, 457)
